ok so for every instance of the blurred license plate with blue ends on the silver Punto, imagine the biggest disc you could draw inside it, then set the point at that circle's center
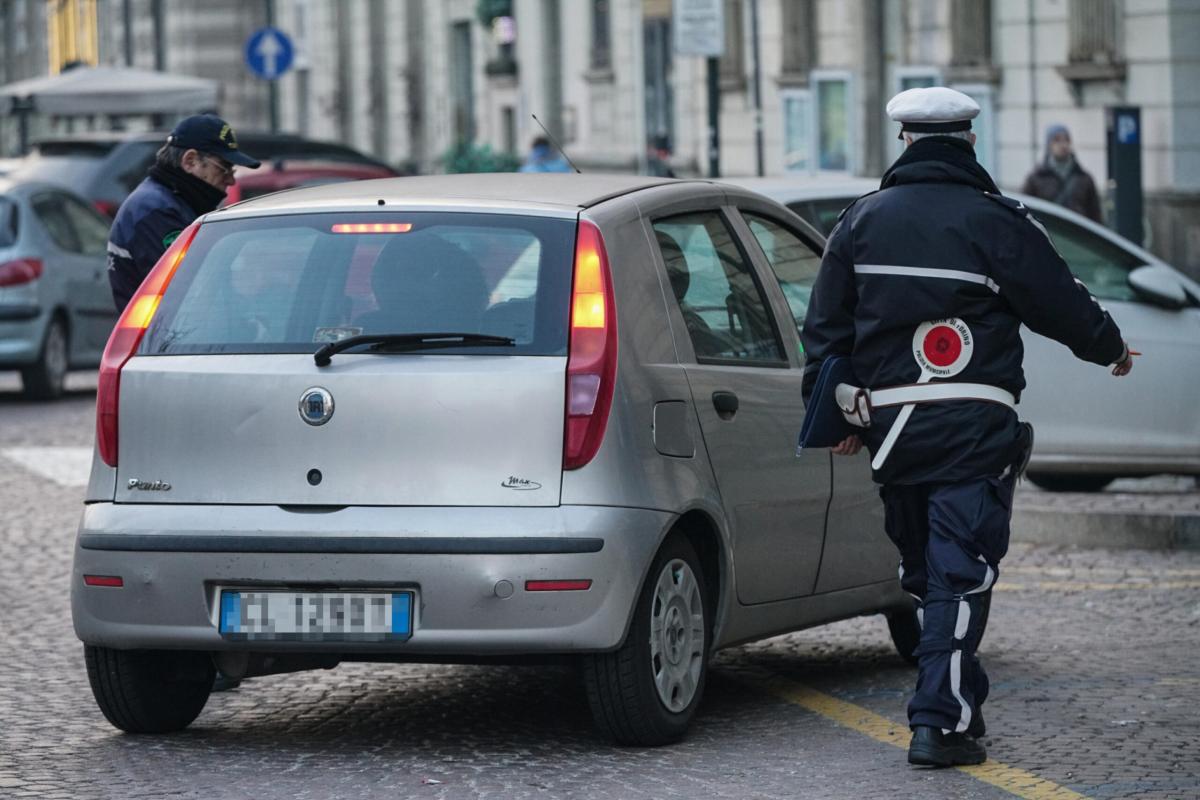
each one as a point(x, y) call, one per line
point(317, 616)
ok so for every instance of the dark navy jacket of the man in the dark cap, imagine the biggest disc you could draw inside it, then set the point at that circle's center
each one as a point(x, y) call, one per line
point(146, 225)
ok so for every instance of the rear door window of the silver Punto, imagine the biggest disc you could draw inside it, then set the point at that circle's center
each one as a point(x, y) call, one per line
point(723, 305)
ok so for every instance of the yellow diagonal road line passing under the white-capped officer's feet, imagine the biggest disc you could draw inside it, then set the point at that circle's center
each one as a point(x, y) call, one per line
point(880, 729)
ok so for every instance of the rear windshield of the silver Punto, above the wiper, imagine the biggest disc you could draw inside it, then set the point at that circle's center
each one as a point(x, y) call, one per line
point(292, 284)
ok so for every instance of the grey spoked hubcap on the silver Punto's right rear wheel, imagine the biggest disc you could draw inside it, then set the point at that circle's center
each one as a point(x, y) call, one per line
point(677, 635)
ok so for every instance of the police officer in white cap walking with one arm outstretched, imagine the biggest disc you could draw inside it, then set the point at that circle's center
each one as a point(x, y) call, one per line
point(925, 286)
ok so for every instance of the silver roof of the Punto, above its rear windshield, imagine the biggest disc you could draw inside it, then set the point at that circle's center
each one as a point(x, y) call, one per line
point(551, 193)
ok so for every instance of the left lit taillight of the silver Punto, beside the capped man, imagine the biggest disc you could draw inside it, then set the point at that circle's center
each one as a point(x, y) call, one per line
point(125, 339)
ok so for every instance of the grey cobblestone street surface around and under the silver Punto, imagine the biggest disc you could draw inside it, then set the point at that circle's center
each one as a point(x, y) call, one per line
point(1093, 657)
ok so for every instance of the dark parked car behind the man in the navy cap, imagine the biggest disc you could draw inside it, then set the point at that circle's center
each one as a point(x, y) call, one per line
point(106, 167)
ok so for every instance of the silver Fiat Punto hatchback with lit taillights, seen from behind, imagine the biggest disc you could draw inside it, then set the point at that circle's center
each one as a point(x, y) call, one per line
point(469, 418)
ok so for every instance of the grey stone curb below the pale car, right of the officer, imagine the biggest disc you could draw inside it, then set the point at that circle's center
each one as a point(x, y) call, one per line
point(1106, 530)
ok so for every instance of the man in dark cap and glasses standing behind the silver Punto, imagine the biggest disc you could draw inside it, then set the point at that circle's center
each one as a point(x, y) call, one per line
point(189, 178)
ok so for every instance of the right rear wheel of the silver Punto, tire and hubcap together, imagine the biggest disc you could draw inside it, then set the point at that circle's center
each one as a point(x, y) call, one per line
point(646, 693)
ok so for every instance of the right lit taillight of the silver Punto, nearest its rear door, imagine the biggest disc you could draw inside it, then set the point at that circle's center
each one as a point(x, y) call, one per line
point(592, 363)
